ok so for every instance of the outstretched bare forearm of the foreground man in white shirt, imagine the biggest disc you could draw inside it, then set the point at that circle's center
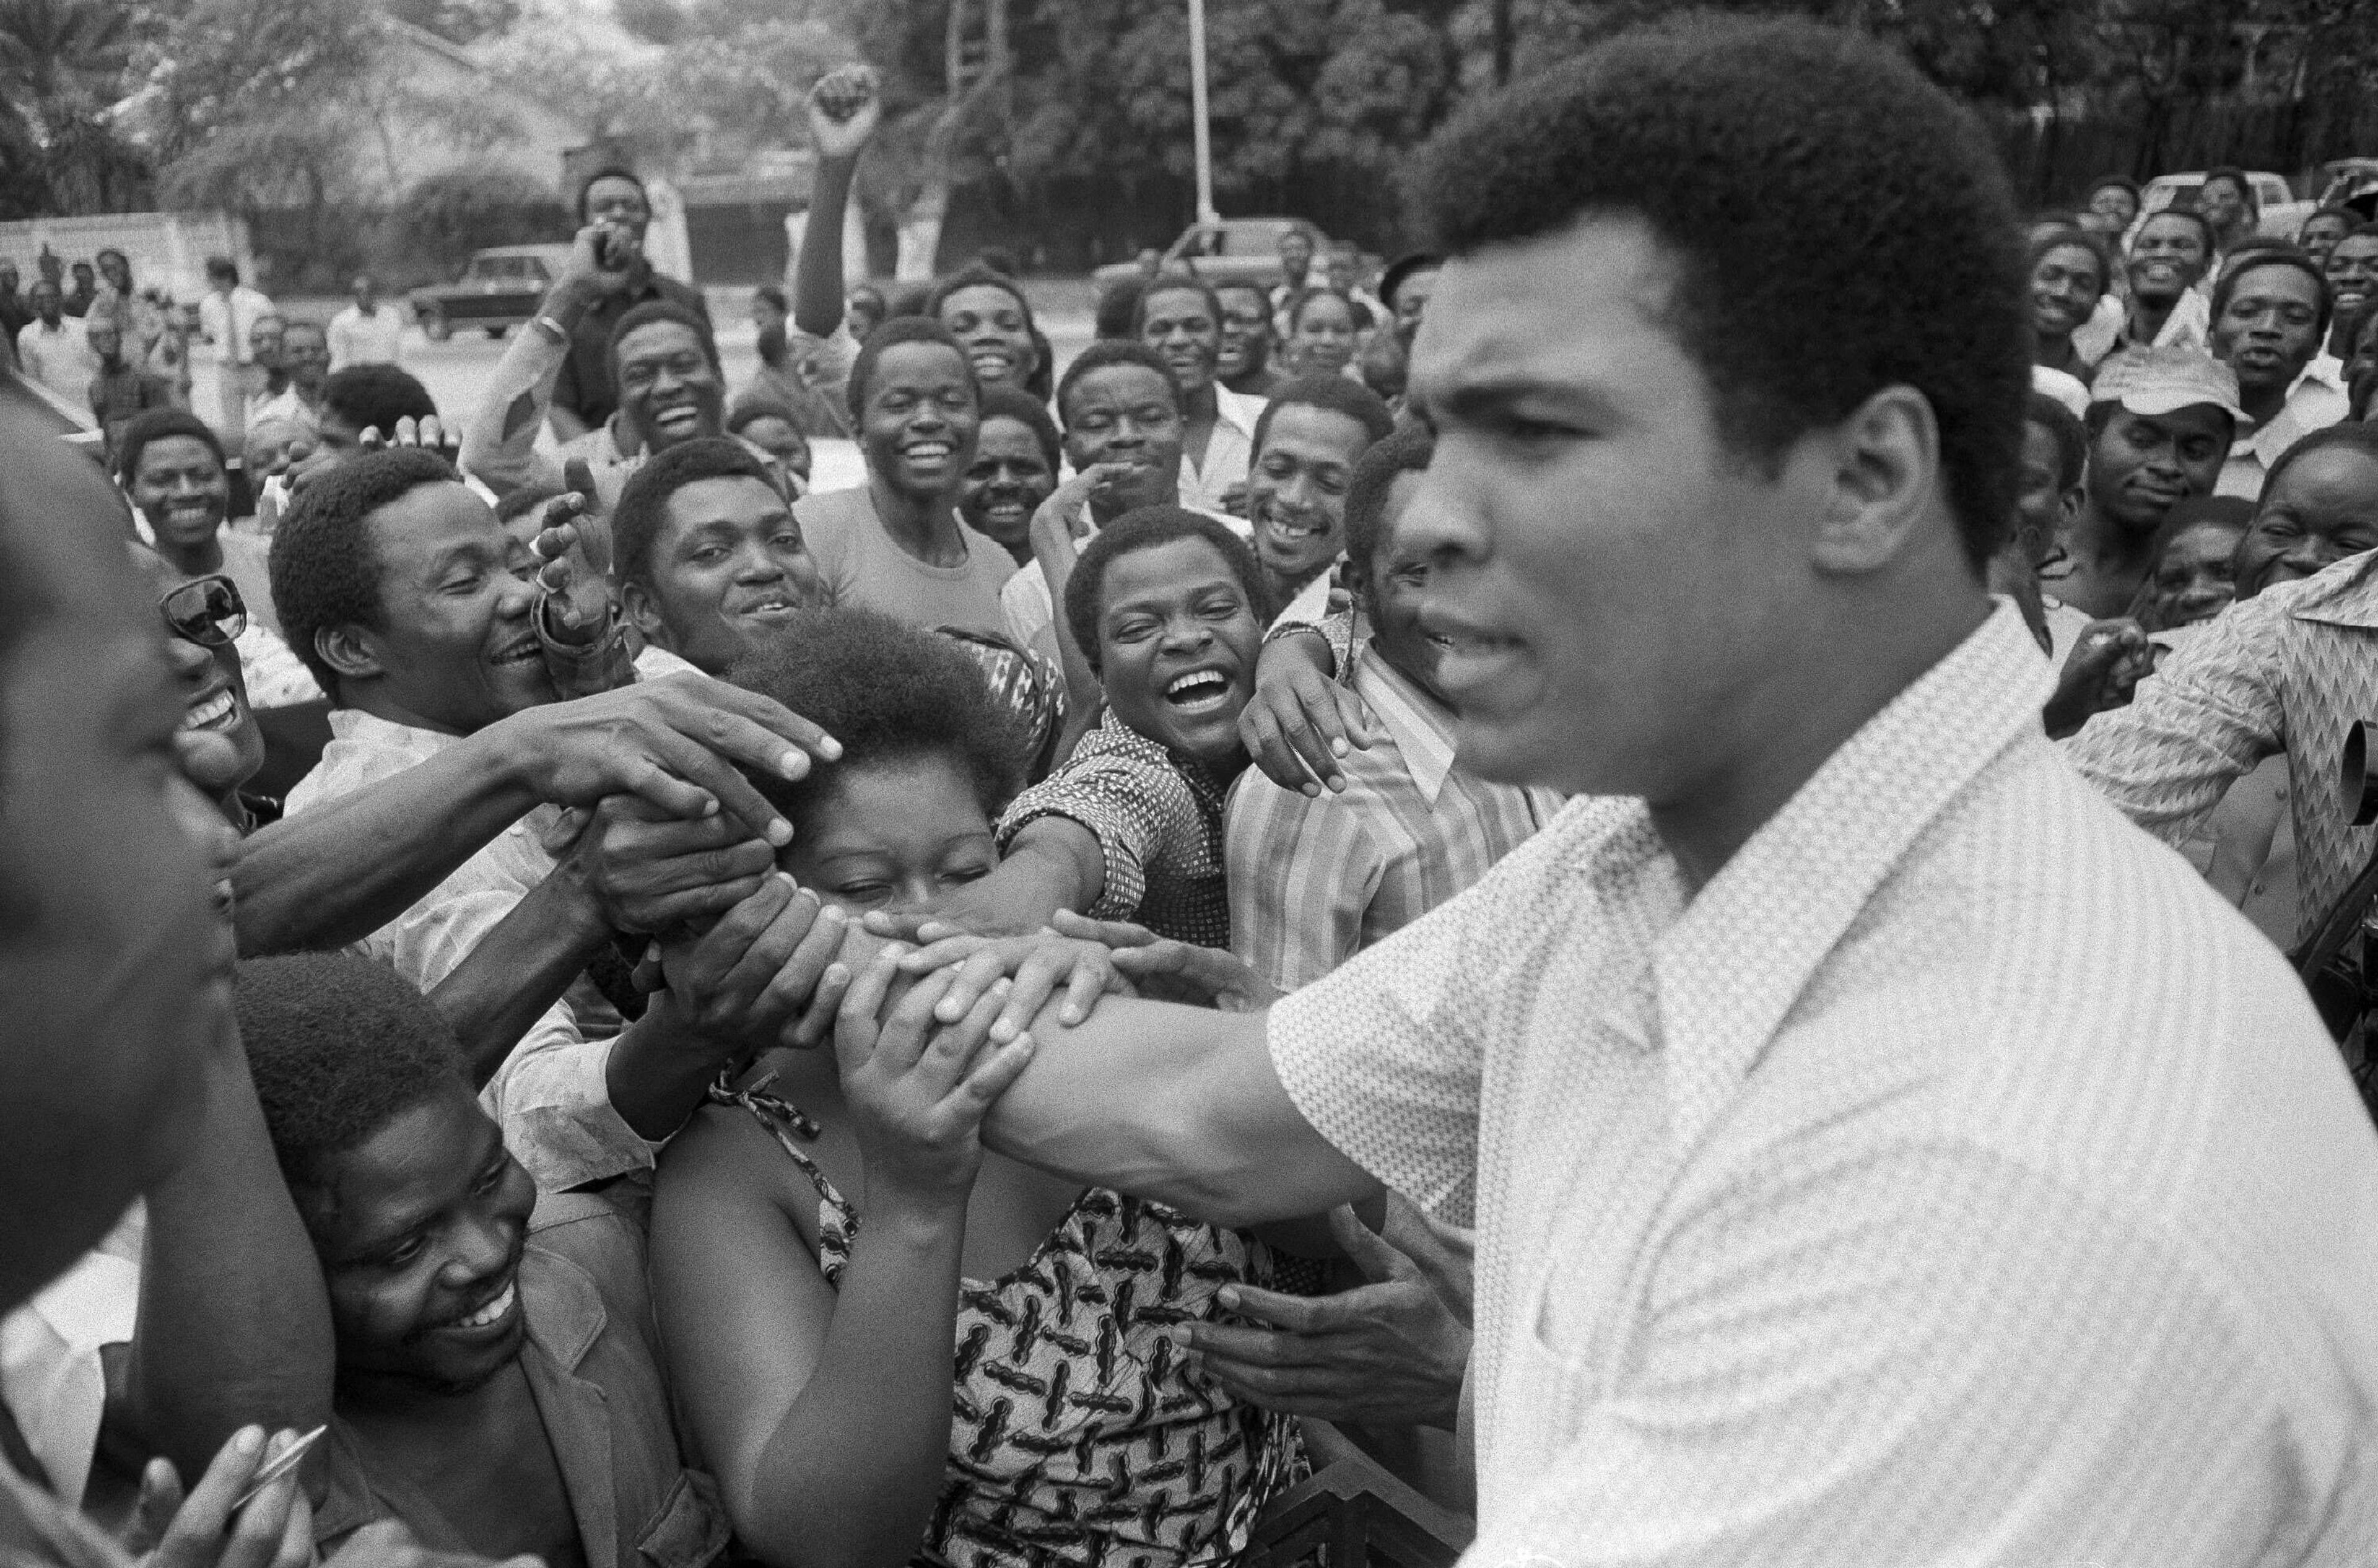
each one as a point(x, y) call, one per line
point(1171, 1103)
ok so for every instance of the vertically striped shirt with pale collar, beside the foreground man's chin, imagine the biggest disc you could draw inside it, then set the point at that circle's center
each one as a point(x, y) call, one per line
point(1314, 882)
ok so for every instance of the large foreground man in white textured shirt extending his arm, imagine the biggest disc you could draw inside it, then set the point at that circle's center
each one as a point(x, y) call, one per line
point(1880, 1150)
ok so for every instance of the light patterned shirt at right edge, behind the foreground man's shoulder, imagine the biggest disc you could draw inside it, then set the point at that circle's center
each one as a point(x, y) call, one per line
point(2284, 672)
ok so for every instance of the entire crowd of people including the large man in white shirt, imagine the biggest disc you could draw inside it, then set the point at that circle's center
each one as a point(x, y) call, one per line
point(1540, 879)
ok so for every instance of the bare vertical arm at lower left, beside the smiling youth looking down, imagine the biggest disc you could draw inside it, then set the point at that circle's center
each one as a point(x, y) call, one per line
point(234, 1319)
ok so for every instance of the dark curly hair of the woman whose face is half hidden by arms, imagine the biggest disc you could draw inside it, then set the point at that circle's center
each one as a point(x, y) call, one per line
point(886, 691)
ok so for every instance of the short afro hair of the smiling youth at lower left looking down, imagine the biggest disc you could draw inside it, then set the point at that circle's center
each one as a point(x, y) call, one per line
point(339, 1048)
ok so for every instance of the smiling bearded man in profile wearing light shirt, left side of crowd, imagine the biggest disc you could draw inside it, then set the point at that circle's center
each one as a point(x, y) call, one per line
point(415, 610)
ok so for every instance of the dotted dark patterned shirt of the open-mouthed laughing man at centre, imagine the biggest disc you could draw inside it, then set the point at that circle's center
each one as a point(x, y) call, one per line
point(1159, 824)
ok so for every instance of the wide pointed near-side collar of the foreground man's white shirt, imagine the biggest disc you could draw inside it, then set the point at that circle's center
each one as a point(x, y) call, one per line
point(1816, 865)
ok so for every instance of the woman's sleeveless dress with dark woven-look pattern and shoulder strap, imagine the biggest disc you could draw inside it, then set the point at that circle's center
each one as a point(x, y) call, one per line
point(1078, 1438)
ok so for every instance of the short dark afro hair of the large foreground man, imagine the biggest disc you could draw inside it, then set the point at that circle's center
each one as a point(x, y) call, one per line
point(1839, 227)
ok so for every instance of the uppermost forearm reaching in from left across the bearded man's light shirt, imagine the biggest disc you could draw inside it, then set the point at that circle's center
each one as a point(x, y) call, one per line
point(344, 870)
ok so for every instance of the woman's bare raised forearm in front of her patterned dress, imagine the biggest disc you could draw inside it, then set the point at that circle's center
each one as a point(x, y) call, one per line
point(853, 1472)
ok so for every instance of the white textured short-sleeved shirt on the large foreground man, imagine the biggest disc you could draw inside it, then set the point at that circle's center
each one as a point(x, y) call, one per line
point(1951, 1181)
